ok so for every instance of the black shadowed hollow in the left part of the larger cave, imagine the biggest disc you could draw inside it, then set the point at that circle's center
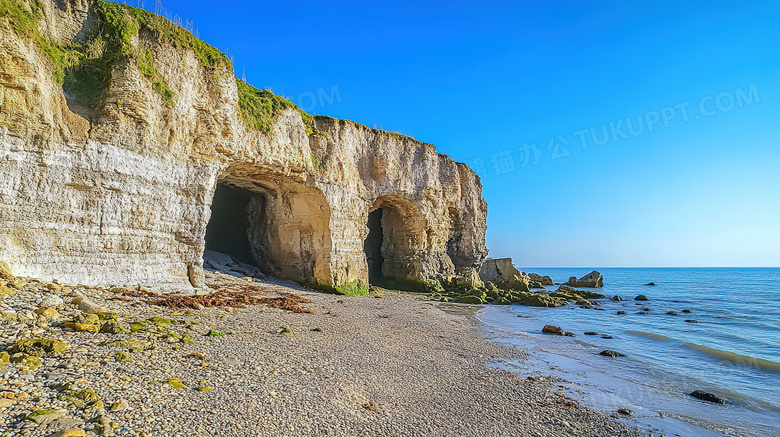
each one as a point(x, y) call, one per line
point(228, 230)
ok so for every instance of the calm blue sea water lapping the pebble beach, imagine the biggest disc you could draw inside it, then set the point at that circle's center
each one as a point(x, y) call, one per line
point(733, 350)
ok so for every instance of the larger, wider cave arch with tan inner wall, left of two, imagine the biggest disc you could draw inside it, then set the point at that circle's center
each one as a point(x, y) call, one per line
point(273, 222)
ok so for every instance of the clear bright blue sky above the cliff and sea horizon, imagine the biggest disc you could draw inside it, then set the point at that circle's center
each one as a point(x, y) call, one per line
point(693, 181)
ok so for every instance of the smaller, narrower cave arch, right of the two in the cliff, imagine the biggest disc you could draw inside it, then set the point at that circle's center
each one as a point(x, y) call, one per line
point(394, 243)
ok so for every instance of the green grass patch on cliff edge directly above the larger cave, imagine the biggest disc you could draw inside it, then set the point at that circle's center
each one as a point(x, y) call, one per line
point(258, 108)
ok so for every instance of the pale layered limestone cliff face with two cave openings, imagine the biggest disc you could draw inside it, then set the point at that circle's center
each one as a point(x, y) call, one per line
point(119, 190)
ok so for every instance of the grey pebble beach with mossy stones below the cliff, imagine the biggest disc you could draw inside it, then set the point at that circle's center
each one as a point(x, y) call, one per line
point(388, 364)
